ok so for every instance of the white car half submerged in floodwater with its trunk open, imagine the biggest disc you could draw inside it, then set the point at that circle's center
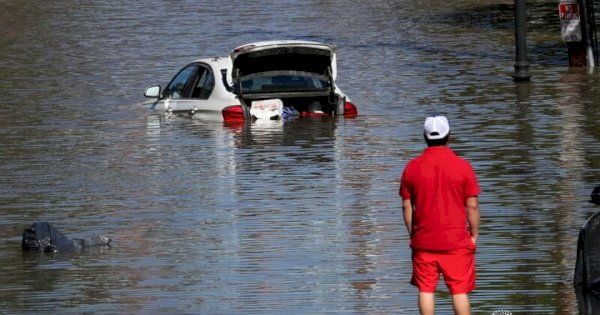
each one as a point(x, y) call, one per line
point(295, 76)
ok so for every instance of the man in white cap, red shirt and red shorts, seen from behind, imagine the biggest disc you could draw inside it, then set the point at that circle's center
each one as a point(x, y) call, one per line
point(439, 193)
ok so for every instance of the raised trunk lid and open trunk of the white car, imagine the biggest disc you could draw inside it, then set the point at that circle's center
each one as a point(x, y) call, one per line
point(300, 74)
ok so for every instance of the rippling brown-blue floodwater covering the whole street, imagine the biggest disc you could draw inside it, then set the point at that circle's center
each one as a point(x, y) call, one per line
point(303, 218)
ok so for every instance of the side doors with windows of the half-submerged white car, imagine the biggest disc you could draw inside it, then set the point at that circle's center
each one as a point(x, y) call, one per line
point(190, 89)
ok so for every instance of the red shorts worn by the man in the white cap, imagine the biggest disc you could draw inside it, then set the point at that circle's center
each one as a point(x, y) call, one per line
point(457, 266)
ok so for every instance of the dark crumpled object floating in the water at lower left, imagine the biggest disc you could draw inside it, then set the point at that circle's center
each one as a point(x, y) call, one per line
point(43, 237)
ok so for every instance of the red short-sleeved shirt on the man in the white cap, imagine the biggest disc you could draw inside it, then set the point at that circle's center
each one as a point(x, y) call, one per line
point(438, 183)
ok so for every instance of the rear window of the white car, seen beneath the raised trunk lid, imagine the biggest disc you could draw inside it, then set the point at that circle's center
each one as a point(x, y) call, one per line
point(265, 83)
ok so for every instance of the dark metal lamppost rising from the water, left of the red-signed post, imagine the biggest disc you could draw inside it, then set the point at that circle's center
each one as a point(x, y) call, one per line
point(521, 64)
